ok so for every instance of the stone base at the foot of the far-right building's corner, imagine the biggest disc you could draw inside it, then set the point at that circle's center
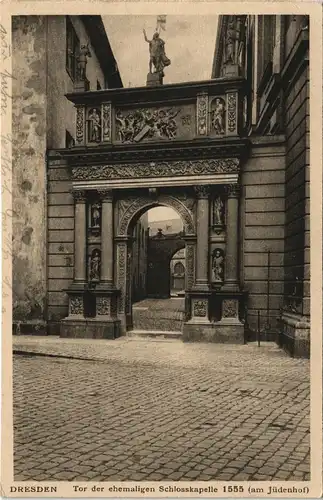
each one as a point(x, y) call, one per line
point(294, 336)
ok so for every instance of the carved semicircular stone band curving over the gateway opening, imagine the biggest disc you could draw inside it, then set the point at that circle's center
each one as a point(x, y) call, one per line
point(141, 204)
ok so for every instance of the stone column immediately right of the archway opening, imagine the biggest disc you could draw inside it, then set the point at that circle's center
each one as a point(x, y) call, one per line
point(202, 248)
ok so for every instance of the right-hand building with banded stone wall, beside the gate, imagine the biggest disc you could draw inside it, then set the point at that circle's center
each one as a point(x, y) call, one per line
point(272, 54)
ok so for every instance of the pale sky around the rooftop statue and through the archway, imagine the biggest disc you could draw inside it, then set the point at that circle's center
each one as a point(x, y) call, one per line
point(189, 44)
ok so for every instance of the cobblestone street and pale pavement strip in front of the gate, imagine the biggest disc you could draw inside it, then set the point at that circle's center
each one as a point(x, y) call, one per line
point(137, 409)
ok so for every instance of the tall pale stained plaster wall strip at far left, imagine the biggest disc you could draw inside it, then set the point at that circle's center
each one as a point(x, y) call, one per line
point(29, 105)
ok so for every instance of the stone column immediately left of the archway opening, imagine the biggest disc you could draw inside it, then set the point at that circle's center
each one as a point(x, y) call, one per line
point(107, 239)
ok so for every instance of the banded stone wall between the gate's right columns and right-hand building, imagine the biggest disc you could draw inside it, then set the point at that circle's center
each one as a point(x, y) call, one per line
point(262, 229)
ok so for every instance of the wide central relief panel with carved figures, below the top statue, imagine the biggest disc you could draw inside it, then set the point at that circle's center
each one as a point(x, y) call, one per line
point(153, 124)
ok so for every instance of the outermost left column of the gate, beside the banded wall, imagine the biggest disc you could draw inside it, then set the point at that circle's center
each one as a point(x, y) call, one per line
point(80, 237)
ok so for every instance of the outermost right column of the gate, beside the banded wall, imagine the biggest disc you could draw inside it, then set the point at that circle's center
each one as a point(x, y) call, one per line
point(231, 280)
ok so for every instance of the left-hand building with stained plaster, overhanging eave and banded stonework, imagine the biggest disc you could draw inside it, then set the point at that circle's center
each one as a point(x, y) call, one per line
point(45, 52)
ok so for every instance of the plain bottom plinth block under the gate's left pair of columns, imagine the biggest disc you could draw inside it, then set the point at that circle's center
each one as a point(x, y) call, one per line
point(89, 328)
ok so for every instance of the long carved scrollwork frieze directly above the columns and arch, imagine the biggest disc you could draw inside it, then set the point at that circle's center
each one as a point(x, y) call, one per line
point(159, 169)
